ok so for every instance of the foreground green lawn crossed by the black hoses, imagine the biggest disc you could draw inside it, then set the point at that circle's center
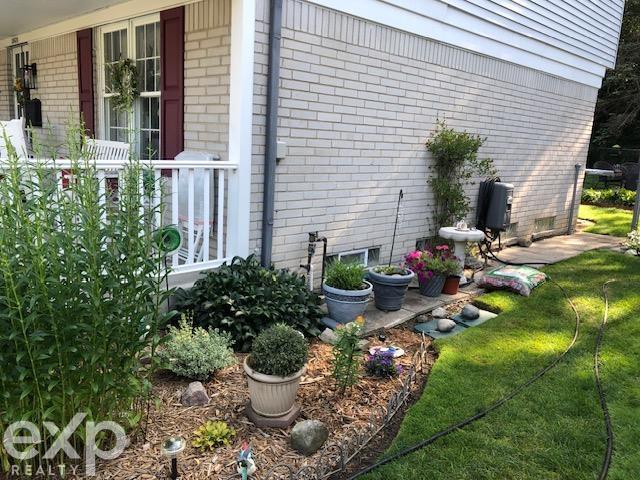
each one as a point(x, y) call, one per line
point(554, 429)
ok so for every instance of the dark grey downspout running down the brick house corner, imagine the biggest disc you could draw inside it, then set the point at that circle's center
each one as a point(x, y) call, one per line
point(271, 130)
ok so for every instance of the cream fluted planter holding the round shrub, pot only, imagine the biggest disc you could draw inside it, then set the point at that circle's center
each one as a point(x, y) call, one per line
point(272, 396)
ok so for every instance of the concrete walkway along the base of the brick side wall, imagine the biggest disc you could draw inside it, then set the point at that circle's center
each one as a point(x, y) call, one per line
point(550, 250)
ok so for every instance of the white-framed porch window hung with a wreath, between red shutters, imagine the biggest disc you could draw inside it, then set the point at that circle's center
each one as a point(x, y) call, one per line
point(139, 40)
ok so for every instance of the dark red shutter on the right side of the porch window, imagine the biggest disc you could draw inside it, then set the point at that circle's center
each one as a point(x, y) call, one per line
point(172, 82)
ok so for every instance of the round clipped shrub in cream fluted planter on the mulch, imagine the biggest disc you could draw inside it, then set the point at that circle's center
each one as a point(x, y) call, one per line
point(277, 361)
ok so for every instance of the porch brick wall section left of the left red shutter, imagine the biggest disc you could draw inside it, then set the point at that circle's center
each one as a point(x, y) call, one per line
point(57, 86)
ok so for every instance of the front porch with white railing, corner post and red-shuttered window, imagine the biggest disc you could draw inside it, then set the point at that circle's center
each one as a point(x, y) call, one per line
point(195, 94)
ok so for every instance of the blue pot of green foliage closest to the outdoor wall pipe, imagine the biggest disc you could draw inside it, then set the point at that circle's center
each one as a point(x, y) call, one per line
point(346, 291)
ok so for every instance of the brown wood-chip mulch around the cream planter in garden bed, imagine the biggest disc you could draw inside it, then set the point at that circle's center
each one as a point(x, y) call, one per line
point(228, 391)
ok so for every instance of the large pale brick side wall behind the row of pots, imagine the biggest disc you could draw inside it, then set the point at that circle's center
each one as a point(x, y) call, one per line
point(358, 101)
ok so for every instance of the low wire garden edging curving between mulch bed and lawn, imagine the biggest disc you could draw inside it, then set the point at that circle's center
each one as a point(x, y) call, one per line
point(335, 456)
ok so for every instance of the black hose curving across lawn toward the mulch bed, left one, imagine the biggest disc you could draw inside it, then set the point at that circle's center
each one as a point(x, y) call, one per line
point(490, 408)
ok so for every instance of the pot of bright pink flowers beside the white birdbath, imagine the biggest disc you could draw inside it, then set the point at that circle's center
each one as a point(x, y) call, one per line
point(432, 268)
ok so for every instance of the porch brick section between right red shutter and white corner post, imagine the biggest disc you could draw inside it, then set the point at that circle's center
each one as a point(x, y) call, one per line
point(206, 76)
